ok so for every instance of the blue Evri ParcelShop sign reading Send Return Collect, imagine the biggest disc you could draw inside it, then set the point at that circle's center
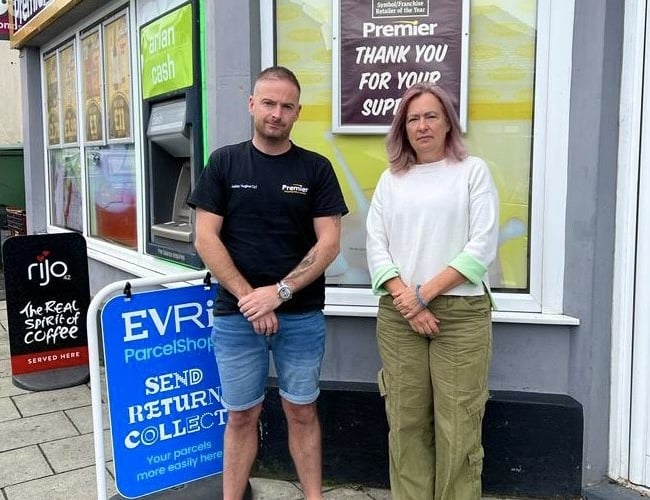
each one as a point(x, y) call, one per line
point(164, 394)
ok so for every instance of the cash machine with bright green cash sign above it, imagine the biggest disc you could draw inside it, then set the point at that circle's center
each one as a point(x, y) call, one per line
point(172, 123)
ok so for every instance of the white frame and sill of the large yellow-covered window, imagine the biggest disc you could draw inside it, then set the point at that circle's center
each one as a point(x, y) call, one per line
point(544, 301)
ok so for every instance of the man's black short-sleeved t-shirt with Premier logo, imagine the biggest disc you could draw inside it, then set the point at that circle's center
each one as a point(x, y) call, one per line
point(268, 204)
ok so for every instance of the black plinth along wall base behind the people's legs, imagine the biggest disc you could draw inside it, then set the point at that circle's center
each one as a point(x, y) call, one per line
point(532, 442)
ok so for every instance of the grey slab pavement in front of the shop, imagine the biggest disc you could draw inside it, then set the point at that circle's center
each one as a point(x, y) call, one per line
point(47, 450)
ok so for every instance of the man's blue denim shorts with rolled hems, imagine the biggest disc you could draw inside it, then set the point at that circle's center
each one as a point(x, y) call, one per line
point(243, 358)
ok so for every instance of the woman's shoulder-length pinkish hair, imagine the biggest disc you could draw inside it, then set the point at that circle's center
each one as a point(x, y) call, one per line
point(401, 155)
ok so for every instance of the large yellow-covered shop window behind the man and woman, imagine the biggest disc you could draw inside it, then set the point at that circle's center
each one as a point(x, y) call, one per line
point(508, 83)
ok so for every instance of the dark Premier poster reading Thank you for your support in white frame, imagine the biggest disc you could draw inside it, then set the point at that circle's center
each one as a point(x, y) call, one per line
point(382, 47)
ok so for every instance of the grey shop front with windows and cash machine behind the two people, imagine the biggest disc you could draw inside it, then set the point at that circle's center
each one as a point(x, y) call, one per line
point(123, 100)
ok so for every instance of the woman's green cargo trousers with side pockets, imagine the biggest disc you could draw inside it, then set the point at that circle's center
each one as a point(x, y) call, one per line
point(435, 392)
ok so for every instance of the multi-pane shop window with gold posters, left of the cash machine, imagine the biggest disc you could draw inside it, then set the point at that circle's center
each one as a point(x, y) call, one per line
point(91, 158)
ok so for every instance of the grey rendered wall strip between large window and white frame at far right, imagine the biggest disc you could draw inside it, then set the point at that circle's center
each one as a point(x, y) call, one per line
point(591, 207)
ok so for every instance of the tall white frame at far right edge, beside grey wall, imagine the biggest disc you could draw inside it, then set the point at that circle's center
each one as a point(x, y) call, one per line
point(630, 405)
